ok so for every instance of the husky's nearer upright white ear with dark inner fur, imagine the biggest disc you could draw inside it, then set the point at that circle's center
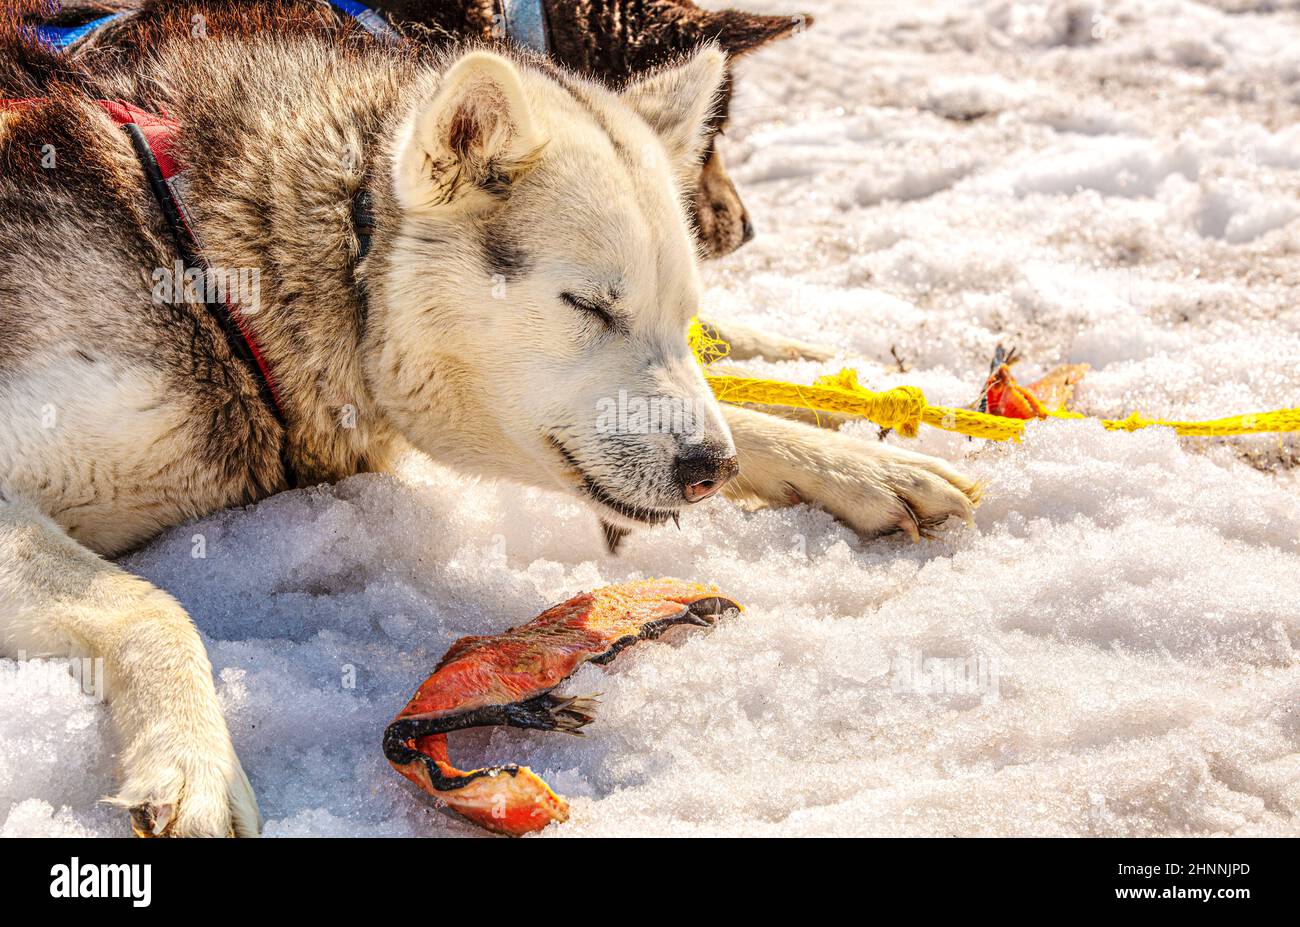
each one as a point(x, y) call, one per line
point(470, 142)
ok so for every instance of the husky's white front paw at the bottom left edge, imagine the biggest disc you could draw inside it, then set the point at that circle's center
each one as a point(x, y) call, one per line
point(188, 785)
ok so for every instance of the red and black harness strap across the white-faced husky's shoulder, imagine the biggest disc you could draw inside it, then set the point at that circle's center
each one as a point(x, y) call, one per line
point(154, 138)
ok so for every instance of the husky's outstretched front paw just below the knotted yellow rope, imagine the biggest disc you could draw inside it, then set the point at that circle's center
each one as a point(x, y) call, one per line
point(879, 490)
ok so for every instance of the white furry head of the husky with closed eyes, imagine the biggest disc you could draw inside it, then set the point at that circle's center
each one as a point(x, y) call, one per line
point(597, 213)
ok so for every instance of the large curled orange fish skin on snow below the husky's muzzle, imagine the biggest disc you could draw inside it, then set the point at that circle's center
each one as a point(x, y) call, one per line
point(508, 679)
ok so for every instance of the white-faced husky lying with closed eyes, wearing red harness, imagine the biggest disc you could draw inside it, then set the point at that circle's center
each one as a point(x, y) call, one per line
point(530, 261)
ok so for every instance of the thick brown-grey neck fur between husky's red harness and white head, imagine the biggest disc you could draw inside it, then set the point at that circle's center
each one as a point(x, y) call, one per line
point(276, 140)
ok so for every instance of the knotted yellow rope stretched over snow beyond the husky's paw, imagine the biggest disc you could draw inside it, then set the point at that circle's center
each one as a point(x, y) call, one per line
point(904, 409)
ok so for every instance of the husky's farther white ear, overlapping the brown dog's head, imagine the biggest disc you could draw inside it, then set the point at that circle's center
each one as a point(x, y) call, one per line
point(678, 103)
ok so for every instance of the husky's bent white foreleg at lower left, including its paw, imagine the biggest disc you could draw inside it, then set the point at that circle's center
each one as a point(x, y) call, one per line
point(60, 600)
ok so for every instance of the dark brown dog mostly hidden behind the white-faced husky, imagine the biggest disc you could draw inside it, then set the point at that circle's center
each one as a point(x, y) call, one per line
point(613, 41)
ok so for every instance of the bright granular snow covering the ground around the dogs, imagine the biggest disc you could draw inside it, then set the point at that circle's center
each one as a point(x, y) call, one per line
point(1111, 651)
